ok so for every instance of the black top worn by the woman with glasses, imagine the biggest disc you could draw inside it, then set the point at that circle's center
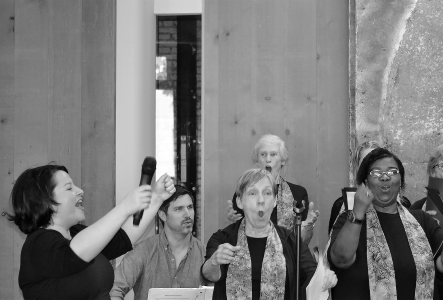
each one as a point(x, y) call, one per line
point(355, 280)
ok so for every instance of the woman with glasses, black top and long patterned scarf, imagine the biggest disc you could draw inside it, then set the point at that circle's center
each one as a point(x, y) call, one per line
point(380, 250)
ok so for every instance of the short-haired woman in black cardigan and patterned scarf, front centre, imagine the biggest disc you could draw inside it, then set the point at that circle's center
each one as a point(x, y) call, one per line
point(255, 258)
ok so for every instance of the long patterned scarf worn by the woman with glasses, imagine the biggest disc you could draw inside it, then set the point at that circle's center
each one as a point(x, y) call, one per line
point(380, 267)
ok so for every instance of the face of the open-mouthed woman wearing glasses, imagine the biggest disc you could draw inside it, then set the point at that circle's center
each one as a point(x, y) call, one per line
point(384, 188)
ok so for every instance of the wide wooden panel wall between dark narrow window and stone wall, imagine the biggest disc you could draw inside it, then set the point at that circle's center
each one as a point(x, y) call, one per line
point(270, 78)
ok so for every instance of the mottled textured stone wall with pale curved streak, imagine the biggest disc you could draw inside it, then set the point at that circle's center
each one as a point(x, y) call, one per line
point(399, 81)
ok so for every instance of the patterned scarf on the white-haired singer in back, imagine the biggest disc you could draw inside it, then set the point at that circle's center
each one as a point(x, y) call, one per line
point(285, 204)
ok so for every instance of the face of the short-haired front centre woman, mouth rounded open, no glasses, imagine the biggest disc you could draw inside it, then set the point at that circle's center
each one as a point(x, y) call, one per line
point(258, 202)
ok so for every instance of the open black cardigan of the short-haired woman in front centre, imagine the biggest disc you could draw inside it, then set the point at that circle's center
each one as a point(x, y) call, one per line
point(289, 243)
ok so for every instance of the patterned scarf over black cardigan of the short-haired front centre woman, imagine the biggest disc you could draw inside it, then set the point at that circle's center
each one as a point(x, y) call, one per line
point(273, 271)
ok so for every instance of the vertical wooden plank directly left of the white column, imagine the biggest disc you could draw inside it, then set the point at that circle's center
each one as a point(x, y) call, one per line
point(98, 107)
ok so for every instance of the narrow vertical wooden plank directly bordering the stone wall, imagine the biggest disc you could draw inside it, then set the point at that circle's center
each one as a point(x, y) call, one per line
point(332, 106)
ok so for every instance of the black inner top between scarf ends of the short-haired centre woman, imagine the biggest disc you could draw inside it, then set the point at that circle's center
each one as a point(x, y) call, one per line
point(257, 247)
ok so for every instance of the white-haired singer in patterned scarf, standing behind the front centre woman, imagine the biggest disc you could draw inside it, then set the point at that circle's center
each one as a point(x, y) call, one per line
point(270, 154)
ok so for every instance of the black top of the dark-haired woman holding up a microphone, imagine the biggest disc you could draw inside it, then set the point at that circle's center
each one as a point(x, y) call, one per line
point(49, 268)
